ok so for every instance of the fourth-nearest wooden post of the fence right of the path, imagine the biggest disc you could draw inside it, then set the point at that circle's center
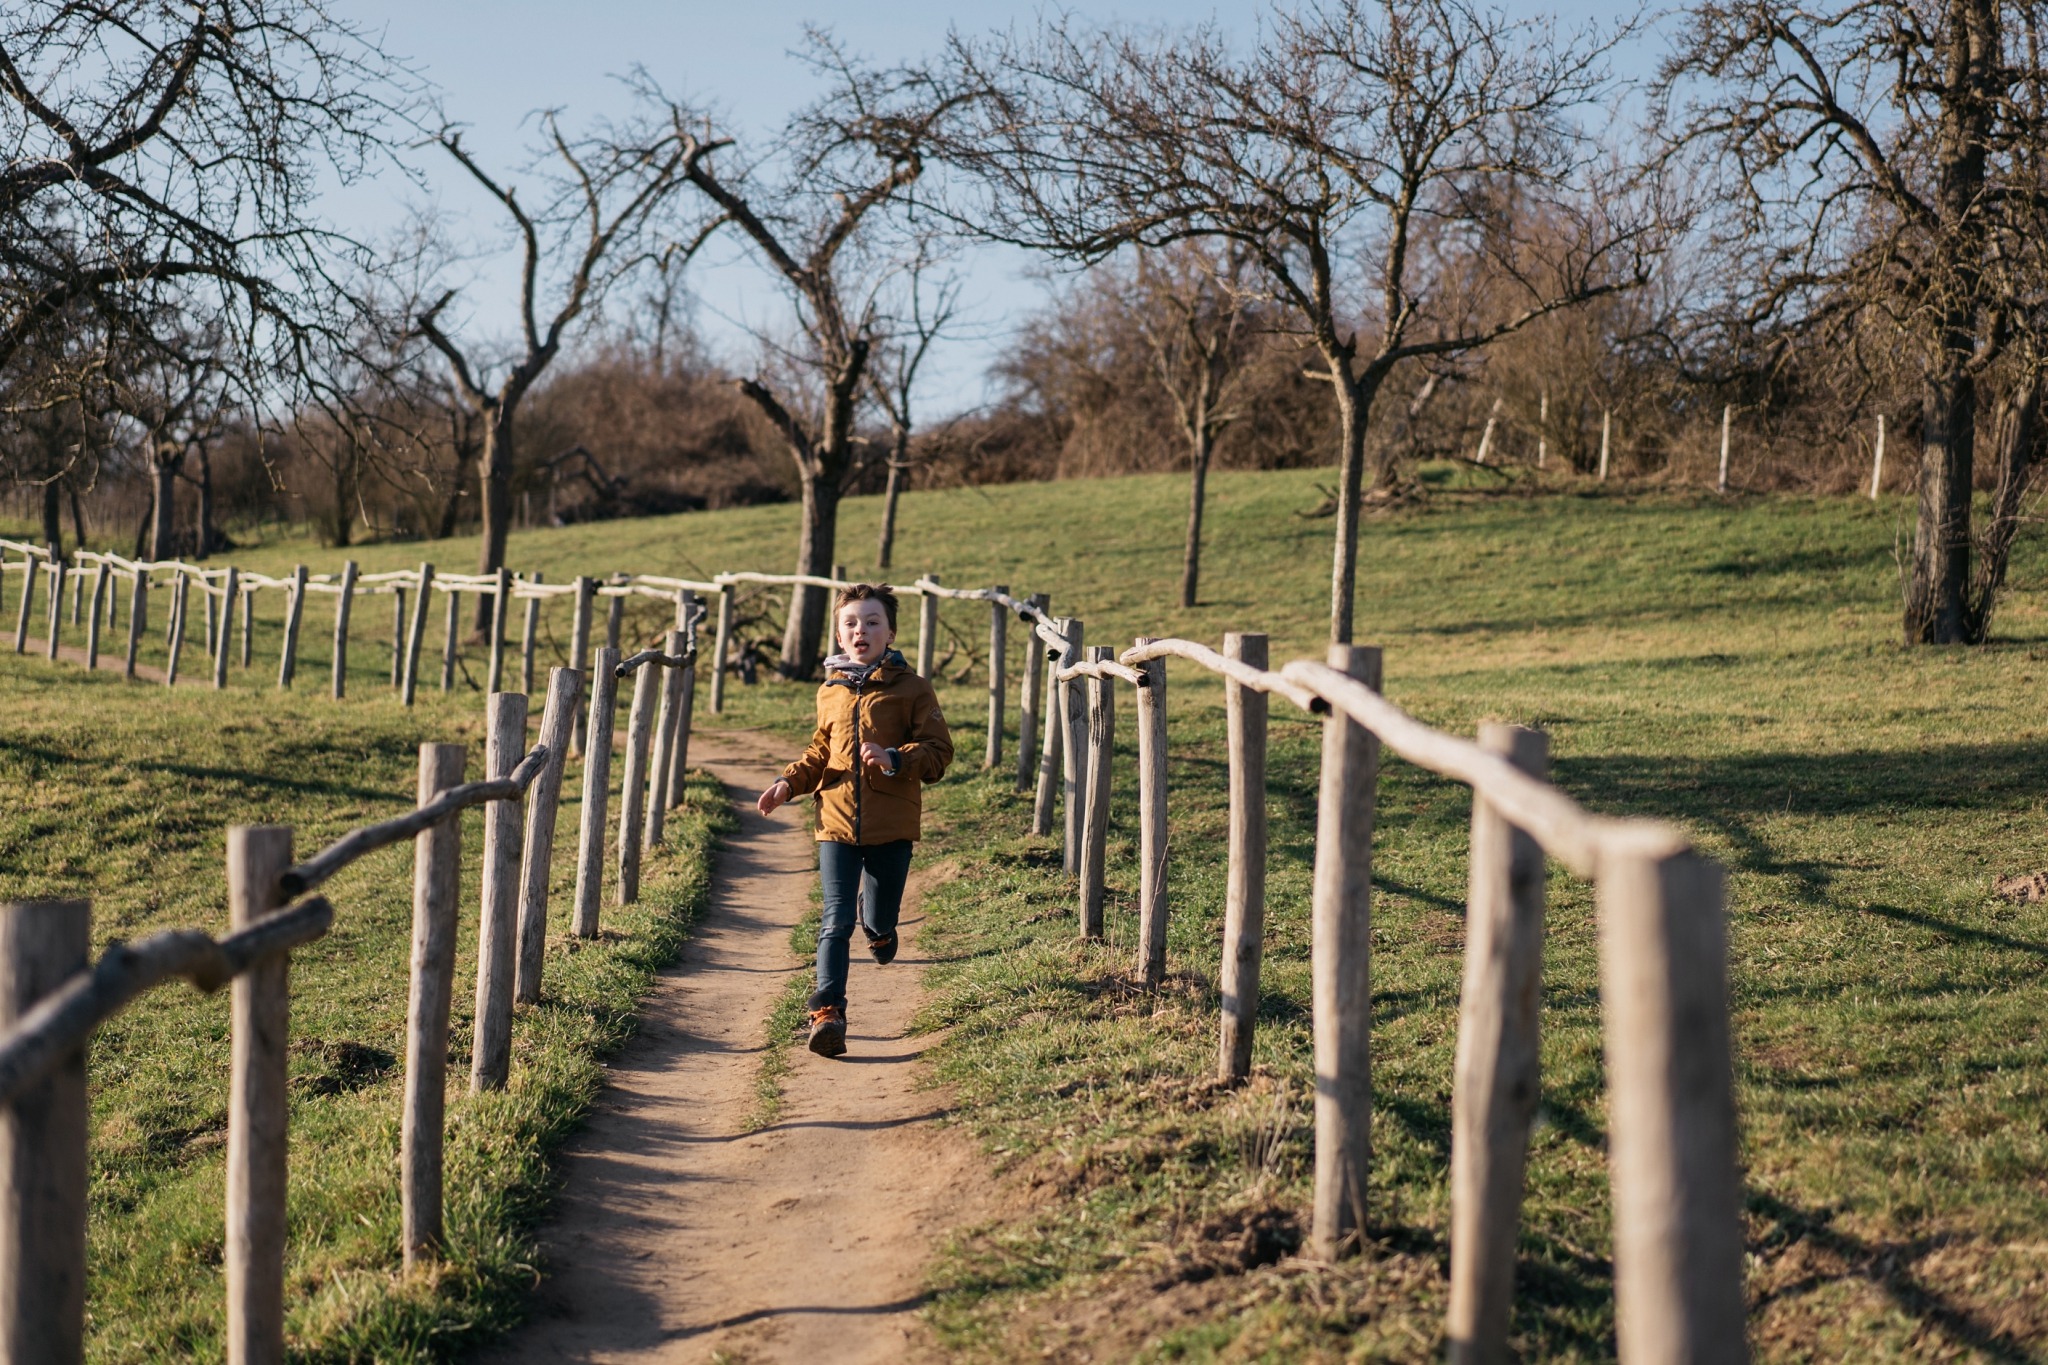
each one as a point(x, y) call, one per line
point(1244, 899)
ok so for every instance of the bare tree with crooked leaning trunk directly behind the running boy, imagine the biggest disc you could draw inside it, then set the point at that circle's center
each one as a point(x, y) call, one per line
point(816, 218)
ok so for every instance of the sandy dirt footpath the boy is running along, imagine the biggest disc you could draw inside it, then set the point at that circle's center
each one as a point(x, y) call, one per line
point(677, 1235)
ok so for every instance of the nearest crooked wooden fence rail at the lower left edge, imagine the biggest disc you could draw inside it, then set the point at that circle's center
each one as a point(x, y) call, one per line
point(67, 1018)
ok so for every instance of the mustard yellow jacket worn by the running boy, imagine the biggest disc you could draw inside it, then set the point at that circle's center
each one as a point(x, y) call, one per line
point(894, 709)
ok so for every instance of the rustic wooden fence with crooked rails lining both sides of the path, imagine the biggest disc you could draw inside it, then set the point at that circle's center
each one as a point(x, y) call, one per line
point(1676, 1194)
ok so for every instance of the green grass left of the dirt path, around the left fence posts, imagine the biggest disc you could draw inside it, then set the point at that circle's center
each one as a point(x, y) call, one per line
point(124, 793)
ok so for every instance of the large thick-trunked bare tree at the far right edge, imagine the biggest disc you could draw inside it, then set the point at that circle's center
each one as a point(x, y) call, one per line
point(1881, 175)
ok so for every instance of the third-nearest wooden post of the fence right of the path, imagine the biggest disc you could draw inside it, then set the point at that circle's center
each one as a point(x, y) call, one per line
point(1342, 967)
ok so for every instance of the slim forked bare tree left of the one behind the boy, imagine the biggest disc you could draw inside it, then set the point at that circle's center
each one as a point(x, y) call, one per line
point(593, 228)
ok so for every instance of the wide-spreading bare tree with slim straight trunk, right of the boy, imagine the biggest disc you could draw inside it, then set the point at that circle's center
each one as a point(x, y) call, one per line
point(1347, 132)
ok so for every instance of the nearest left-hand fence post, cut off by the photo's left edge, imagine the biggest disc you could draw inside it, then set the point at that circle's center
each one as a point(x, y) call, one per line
point(44, 1149)
